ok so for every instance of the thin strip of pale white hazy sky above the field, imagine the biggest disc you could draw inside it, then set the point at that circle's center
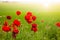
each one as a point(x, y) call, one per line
point(34, 1)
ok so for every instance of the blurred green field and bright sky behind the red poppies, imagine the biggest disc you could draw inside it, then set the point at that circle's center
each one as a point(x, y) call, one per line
point(46, 11)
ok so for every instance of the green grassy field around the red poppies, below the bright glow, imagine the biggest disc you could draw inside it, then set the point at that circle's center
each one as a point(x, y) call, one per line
point(46, 31)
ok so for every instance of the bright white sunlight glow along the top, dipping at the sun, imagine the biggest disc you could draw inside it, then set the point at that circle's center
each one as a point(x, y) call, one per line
point(45, 3)
